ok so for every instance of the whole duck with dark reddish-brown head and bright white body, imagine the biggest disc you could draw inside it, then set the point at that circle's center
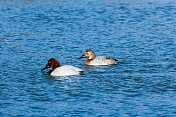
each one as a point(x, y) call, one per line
point(58, 70)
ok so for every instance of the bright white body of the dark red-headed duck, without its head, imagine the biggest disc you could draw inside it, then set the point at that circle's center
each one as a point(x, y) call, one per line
point(66, 70)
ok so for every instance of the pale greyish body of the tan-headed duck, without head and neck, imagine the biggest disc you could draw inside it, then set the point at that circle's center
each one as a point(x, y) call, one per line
point(103, 60)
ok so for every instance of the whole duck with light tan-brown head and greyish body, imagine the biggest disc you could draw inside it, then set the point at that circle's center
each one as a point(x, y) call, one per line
point(99, 60)
